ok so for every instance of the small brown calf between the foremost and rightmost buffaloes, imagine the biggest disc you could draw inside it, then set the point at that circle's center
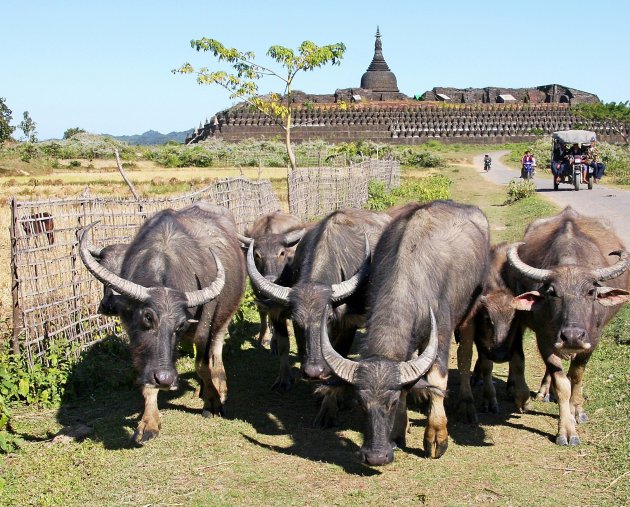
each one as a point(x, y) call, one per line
point(498, 336)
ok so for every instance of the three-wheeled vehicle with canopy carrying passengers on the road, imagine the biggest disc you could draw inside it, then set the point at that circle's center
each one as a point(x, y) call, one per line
point(568, 162)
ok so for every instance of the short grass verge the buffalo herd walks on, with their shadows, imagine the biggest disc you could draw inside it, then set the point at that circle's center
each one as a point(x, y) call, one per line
point(266, 453)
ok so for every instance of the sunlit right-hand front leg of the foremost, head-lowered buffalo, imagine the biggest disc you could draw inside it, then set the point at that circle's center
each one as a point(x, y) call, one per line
point(436, 433)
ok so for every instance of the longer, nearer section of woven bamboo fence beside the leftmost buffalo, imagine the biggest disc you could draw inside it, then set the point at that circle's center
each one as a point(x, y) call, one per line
point(54, 297)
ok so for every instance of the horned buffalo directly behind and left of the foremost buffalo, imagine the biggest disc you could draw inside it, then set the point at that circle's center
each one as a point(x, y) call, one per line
point(329, 267)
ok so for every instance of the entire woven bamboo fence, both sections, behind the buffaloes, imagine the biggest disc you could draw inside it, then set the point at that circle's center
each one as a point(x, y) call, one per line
point(55, 298)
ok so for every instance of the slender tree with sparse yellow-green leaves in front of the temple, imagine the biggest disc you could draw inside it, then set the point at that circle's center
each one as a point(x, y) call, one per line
point(243, 82)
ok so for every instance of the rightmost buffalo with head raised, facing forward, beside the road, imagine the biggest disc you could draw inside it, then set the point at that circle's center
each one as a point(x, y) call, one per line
point(562, 265)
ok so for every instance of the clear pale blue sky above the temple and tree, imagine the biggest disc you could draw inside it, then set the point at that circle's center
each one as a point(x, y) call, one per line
point(105, 66)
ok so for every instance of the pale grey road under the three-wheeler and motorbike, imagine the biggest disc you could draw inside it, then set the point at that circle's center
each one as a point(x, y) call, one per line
point(602, 201)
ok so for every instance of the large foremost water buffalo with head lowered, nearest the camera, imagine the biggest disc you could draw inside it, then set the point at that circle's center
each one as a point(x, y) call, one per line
point(432, 257)
